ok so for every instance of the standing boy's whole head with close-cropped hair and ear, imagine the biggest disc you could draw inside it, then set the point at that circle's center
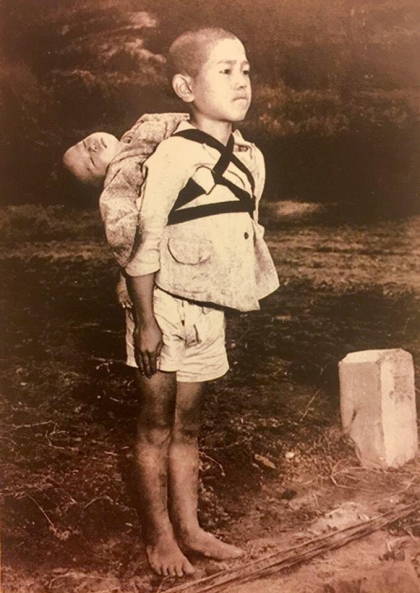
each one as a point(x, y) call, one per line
point(210, 71)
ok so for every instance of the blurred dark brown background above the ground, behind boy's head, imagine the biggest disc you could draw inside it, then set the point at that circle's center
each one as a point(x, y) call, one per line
point(336, 91)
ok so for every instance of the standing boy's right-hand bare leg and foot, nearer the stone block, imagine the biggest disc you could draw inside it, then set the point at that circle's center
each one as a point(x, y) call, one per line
point(183, 476)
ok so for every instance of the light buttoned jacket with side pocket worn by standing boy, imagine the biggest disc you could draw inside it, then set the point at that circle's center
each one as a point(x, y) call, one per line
point(220, 259)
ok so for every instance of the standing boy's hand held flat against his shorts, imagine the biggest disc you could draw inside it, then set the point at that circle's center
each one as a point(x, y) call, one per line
point(147, 347)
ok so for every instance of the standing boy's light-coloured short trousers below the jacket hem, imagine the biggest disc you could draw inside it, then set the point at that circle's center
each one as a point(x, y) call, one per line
point(193, 338)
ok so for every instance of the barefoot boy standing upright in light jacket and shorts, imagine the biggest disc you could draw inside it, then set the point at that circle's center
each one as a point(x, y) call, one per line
point(201, 251)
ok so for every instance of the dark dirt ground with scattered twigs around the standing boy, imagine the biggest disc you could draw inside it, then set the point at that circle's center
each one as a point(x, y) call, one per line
point(275, 467)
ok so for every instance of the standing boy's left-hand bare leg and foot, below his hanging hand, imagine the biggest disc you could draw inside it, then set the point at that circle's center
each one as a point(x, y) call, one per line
point(154, 430)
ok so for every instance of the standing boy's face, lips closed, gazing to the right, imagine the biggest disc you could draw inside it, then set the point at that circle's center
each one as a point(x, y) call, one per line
point(222, 87)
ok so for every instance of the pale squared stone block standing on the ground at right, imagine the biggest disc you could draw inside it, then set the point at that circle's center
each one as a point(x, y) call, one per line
point(378, 406)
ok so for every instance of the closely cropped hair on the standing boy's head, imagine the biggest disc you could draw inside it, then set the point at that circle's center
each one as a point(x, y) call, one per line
point(187, 53)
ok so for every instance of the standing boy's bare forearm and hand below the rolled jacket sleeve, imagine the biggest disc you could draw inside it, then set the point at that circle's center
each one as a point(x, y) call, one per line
point(147, 334)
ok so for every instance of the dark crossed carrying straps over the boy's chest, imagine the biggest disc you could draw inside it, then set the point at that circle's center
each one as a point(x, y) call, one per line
point(245, 202)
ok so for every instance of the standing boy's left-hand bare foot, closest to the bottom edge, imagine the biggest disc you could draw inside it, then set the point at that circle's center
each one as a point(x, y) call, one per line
point(166, 558)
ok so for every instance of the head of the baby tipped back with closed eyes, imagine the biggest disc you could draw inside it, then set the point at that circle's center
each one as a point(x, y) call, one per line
point(88, 160)
